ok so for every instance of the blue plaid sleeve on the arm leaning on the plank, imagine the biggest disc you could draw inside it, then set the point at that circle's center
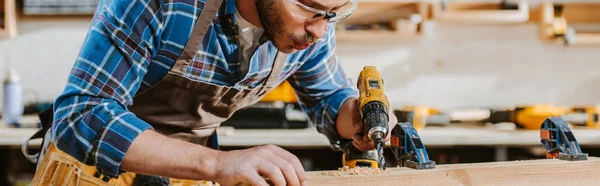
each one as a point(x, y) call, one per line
point(91, 120)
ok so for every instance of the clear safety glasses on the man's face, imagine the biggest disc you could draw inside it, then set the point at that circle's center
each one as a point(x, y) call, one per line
point(312, 13)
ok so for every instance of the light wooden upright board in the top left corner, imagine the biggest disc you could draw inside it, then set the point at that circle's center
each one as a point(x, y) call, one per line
point(8, 26)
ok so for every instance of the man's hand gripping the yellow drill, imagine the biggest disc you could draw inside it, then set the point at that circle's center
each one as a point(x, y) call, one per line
point(349, 125)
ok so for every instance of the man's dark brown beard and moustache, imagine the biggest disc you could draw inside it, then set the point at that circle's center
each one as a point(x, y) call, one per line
point(273, 25)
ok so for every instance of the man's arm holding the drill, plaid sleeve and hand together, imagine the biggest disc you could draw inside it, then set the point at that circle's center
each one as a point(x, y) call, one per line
point(329, 99)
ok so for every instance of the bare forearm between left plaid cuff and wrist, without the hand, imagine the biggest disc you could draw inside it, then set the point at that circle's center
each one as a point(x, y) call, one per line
point(155, 154)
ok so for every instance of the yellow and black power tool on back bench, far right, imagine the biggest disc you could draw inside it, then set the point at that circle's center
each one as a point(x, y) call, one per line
point(529, 117)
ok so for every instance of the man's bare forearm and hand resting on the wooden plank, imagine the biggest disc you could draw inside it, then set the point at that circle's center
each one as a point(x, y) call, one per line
point(155, 154)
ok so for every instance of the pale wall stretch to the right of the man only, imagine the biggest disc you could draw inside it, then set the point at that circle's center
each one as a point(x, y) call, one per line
point(488, 66)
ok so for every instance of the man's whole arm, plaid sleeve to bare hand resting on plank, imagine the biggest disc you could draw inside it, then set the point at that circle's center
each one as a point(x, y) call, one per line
point(92, 123)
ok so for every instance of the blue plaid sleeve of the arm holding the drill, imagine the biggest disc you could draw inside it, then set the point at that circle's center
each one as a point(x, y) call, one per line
point(322, 86)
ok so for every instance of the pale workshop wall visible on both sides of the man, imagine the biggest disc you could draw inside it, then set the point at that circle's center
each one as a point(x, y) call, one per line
point(451, 66)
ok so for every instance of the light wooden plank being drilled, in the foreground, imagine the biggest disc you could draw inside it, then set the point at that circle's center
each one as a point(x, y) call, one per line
point(532, 172)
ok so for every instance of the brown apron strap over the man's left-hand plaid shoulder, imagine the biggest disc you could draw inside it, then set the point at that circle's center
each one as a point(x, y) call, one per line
point(208, 14)
